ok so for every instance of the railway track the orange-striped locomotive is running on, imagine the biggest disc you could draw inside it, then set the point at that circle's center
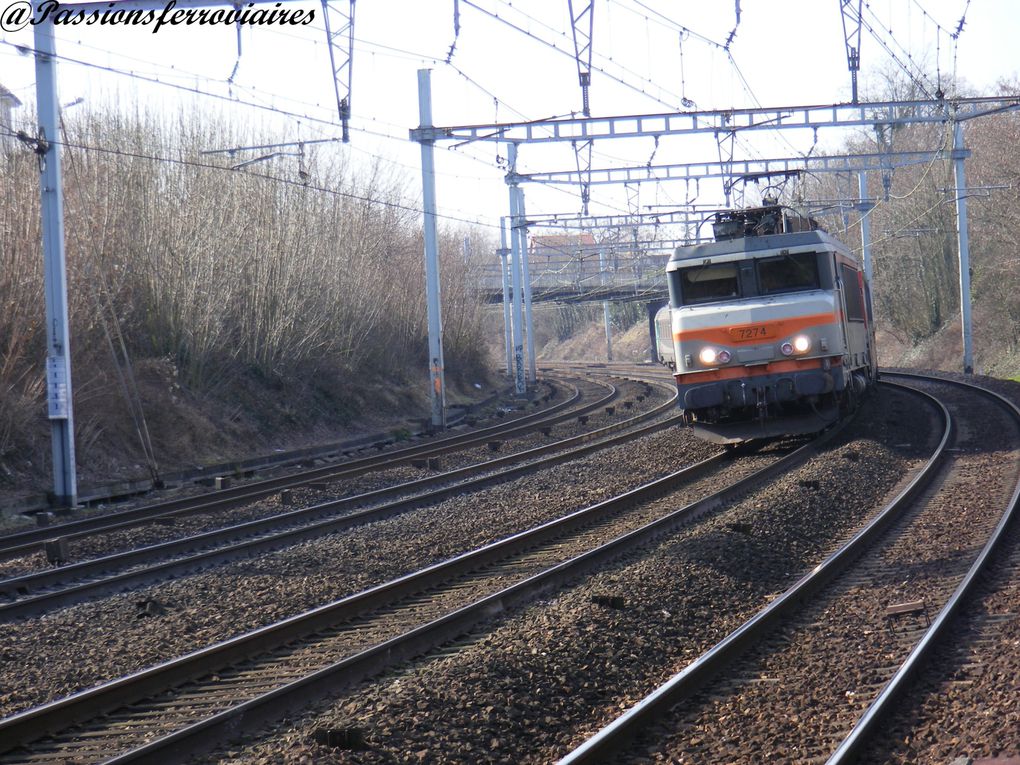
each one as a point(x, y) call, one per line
point(208, 692)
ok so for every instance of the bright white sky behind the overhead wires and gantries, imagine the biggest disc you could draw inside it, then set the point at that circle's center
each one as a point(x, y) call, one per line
point(790, 53)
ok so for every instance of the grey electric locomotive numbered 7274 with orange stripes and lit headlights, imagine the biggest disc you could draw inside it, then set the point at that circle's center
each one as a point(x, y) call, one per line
point(772, 328)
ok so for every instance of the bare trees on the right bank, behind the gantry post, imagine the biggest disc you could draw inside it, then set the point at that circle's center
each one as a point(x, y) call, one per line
point(914, 226)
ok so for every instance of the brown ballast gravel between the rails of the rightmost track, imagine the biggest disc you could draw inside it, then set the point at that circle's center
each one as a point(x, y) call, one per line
point(794, 698)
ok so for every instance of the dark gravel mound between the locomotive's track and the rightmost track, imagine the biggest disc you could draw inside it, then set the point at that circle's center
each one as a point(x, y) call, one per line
point(548, 677)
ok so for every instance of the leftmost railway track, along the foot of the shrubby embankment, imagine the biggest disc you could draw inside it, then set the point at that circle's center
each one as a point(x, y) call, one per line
point(31, 541)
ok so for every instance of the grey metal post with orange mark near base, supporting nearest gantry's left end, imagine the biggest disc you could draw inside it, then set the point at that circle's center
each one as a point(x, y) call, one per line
point(436, 366)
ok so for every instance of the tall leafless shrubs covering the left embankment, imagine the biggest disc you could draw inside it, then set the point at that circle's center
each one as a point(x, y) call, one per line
point(258, 270)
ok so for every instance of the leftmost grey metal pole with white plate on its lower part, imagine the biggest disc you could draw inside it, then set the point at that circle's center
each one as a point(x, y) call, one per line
point(58, 331)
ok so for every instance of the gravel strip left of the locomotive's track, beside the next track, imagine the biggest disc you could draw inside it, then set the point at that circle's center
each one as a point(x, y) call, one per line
point(82, 646)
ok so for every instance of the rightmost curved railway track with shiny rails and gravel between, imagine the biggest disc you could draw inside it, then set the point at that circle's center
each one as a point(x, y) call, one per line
point(810, 678)
